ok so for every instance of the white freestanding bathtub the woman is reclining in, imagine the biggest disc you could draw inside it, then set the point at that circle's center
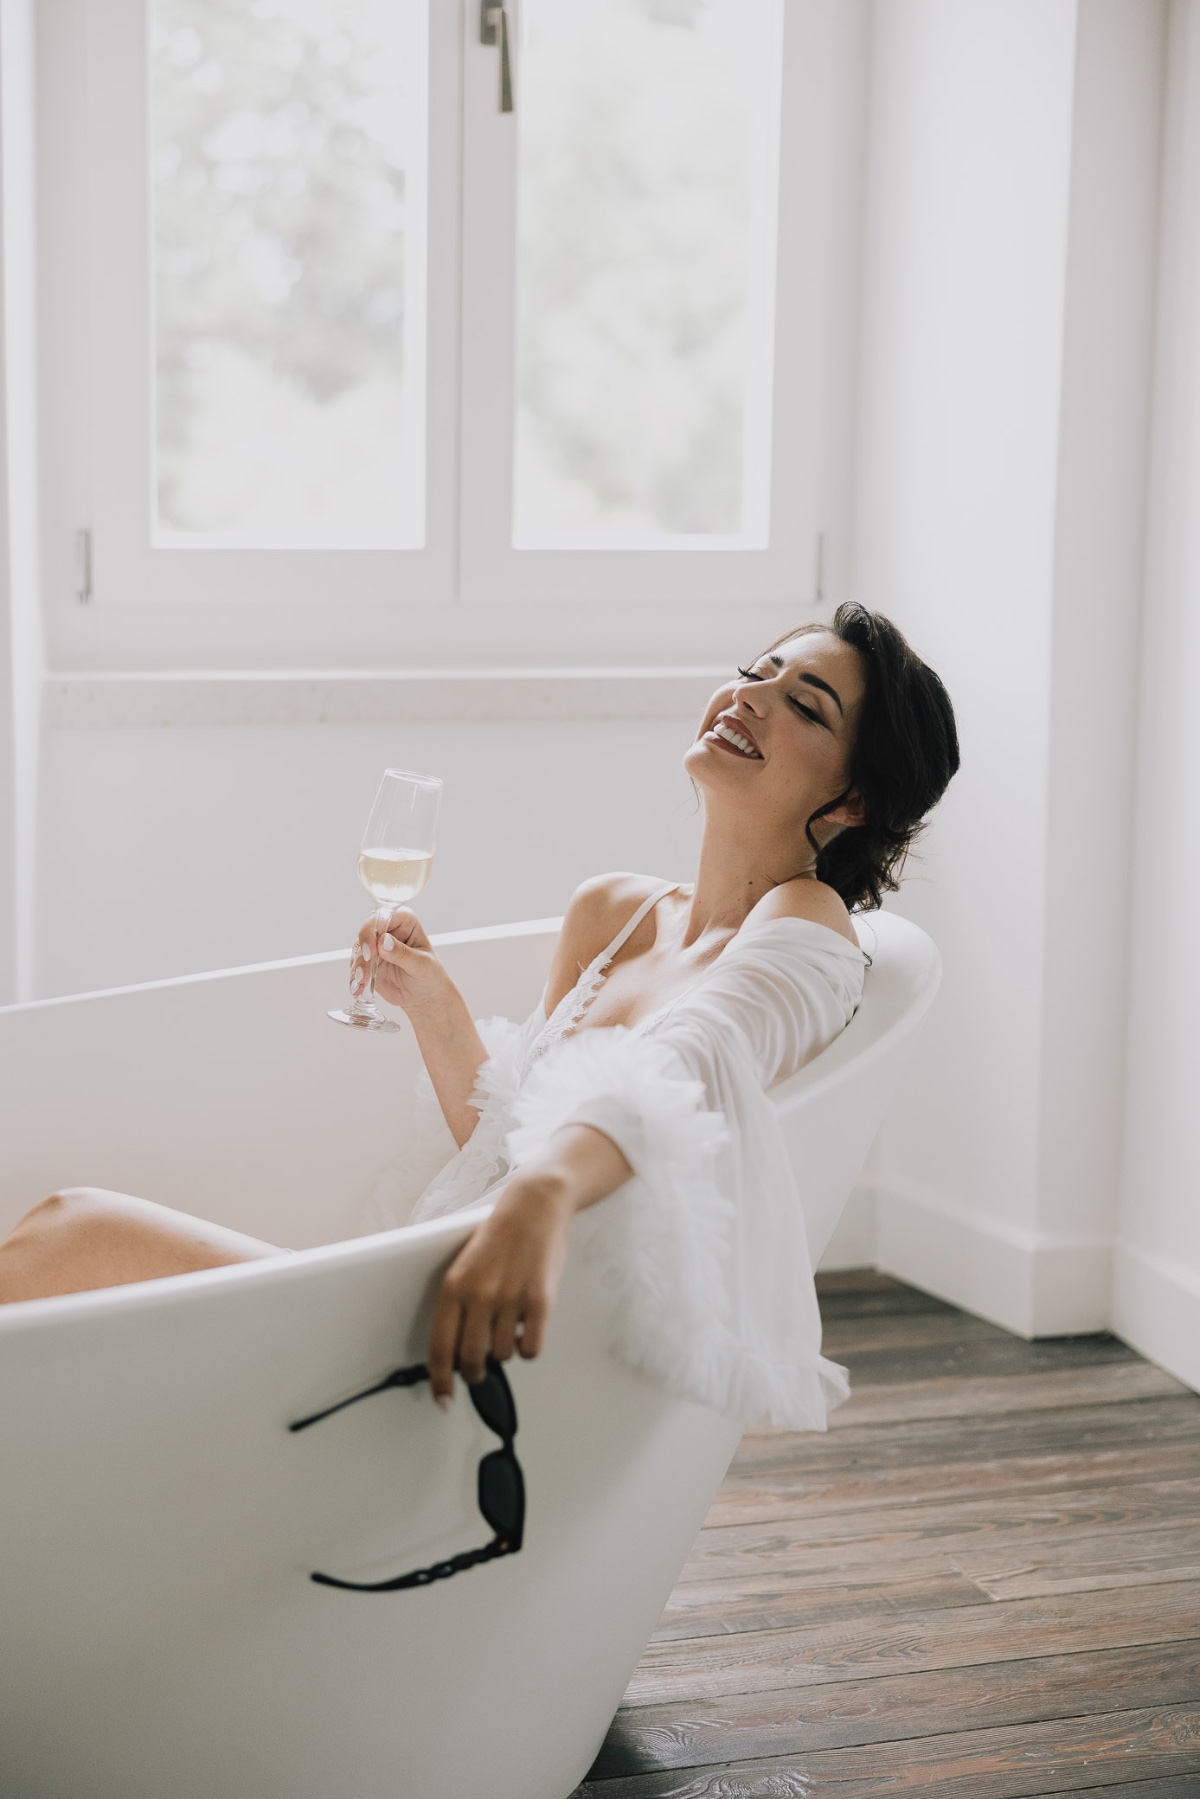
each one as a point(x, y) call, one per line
point(161, 1634)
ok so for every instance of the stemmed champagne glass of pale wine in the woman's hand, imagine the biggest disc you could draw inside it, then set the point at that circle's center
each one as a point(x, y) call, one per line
point(393, 864)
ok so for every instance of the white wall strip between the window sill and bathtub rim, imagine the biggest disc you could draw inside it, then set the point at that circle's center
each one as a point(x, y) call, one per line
point(184, 848)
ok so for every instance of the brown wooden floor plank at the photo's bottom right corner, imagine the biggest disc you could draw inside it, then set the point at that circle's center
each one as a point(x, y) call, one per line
point(996, 1764)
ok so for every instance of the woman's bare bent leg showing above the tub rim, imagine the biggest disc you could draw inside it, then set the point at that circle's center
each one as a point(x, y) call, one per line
point(87, 1237)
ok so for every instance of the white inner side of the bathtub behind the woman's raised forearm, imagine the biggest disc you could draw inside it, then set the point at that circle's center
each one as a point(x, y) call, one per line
point(233, 1095)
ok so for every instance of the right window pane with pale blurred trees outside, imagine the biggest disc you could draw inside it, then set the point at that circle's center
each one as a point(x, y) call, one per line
point(647, 233)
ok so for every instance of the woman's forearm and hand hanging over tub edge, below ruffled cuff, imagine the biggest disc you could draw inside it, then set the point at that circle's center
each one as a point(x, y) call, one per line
point(501, 1287)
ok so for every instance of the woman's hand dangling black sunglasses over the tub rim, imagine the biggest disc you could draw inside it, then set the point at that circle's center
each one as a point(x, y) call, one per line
point(501, 1287)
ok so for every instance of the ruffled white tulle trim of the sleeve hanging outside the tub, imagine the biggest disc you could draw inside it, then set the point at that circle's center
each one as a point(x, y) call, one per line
point(663, 1244)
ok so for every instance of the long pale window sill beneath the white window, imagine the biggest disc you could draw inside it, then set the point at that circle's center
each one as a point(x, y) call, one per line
point(379, 697)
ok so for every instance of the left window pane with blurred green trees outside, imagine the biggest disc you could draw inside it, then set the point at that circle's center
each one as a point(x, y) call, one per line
point(289, 253)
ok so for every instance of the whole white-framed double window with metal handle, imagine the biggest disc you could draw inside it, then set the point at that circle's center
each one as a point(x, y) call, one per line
point(366, 368)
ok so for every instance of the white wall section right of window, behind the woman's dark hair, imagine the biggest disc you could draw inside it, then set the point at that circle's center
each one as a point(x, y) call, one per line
point(1003, 425)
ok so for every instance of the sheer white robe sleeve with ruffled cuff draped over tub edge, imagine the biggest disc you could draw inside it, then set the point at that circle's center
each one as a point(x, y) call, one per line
point(704, 1251)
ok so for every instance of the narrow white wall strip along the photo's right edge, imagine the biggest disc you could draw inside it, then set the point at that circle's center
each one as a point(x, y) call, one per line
point(1158, 1262)
